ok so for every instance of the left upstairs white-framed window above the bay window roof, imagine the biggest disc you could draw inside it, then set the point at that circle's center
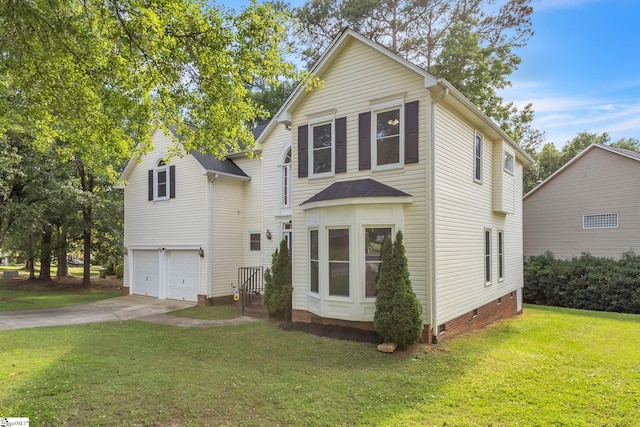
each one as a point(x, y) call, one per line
point(322, 146)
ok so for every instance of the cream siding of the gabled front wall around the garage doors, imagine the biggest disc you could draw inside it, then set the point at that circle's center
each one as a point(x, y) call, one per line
point(172, 222)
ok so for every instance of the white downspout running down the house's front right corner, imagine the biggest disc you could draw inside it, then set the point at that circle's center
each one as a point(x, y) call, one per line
point(434, 305)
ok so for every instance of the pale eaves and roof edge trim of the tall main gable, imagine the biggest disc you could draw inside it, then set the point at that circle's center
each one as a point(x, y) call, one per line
point(437, 85)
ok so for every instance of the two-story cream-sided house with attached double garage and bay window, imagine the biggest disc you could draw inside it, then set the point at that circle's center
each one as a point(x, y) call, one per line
point(382, 146)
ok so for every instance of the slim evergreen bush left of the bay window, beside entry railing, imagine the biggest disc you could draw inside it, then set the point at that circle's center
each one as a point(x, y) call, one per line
point(277, 284)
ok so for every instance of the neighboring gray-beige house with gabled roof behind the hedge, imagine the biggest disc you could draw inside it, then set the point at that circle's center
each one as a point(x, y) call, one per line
point(591, 204)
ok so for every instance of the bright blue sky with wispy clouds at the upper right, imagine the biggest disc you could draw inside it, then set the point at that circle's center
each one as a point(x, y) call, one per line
point(581, 69)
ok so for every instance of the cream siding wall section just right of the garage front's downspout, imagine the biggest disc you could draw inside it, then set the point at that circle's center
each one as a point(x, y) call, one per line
point(229, 249)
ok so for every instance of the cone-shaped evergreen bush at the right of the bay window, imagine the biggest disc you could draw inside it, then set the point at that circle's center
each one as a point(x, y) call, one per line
point(398, 316)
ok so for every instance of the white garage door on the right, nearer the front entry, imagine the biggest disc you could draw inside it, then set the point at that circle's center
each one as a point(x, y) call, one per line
point(183, 275)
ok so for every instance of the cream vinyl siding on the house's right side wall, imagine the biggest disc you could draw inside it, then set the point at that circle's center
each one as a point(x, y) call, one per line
point(464, 209)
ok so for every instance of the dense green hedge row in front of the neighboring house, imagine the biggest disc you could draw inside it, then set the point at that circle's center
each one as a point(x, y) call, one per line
point(588, 283)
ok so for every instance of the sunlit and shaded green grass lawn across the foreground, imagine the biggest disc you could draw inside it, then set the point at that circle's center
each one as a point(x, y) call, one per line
point(550, 366)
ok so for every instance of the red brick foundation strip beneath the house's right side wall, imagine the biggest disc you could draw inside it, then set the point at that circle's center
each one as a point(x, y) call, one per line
point(501, 308)
